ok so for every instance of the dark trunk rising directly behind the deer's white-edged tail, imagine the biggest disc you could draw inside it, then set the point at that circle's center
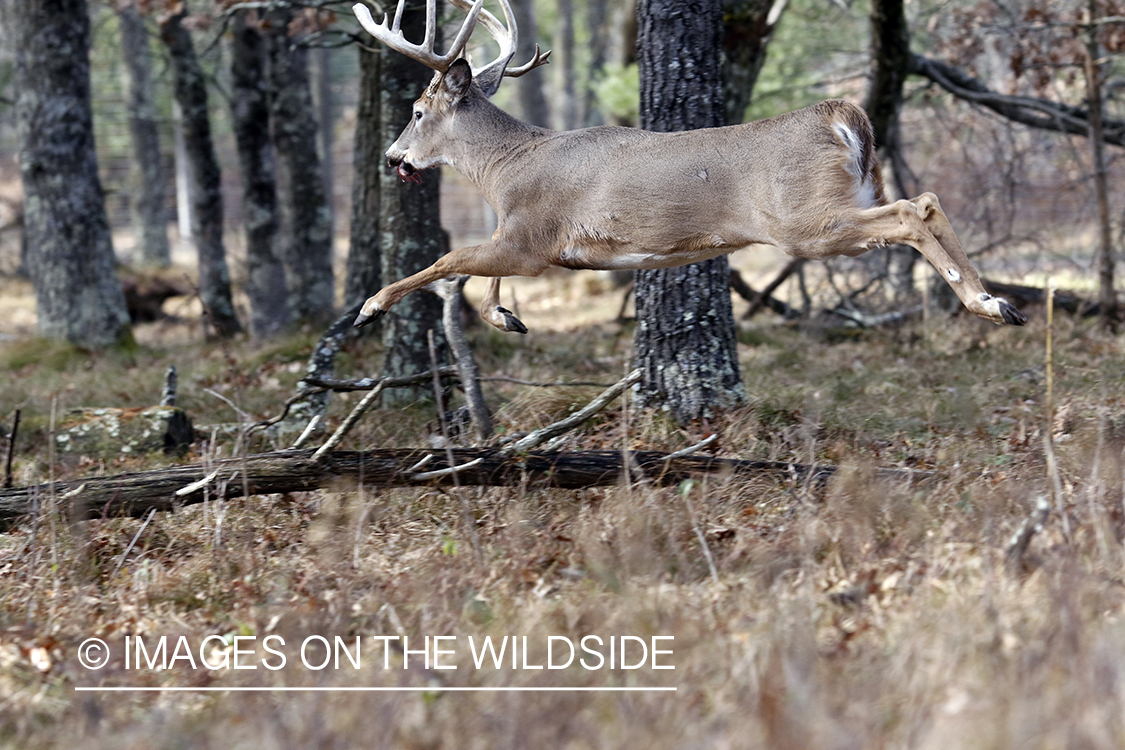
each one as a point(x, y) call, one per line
point(890, 60)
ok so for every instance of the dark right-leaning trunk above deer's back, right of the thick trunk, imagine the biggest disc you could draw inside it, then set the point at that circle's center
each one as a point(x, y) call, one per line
point(748, 29)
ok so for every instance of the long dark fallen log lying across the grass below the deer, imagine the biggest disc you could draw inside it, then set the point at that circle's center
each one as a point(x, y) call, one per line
point(295, 471)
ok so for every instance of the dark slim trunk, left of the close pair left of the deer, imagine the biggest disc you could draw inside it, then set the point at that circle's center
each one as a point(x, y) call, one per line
point(250, 113)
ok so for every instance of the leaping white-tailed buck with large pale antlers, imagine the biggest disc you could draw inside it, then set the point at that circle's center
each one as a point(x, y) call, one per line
point(622, 198)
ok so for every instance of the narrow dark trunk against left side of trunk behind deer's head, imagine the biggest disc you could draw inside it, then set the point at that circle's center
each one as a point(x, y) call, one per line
point(365, 254)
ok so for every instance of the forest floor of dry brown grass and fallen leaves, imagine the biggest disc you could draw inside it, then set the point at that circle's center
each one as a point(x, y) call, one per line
point(857, 616)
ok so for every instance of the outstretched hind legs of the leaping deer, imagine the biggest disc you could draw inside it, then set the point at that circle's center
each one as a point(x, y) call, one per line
point(921, 223)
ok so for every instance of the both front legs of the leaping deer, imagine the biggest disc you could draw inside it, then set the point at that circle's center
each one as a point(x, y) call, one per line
point(493, 259)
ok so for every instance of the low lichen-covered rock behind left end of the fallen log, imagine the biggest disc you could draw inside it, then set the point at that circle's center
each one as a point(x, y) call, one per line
point(107, 433)
